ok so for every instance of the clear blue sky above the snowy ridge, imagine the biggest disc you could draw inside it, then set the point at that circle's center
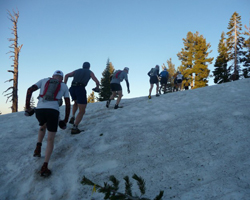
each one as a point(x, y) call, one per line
point(134, 33)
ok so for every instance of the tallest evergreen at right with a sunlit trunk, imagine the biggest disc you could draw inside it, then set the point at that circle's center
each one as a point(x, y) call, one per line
point(235, 44)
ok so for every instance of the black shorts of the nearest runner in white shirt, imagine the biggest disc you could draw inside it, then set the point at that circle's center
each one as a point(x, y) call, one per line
point(50, 117)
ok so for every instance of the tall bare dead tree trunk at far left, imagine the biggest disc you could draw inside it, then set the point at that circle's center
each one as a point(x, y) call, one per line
point(15, 55)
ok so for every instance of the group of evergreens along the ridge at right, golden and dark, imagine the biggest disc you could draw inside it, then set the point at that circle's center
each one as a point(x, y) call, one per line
point(232, 63)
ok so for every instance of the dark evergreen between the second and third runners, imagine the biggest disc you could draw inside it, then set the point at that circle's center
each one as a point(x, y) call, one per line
point(105, 90)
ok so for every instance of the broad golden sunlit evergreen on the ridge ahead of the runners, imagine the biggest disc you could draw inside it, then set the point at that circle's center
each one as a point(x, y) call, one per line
point(195, 60)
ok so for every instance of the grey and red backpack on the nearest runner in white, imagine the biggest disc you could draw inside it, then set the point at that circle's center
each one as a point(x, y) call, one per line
point(51, 89)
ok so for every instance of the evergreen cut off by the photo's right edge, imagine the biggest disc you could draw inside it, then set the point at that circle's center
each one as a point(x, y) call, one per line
point(246, 61)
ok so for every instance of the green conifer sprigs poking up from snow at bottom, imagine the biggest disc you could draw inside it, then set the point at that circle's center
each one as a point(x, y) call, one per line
point(111, 190)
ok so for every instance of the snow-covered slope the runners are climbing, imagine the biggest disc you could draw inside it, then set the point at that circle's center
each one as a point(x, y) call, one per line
point(195, 147)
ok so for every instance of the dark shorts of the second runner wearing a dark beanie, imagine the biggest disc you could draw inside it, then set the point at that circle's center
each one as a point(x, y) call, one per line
point(78, 94)
